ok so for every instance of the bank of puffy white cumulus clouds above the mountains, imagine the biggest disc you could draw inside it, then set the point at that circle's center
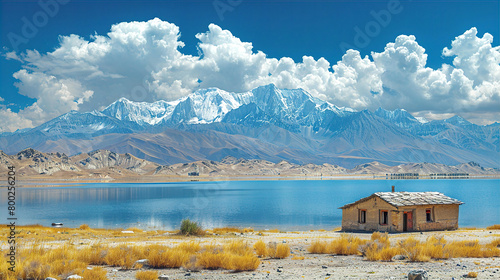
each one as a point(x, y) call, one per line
point(143, 61)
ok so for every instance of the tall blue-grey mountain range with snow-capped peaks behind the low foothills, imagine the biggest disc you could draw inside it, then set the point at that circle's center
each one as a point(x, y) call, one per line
point(264, 123)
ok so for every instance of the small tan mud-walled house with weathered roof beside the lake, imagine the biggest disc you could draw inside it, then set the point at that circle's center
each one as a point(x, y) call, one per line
point(401, 212)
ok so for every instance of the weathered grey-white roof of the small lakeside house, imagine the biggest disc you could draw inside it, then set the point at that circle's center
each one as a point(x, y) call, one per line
point(398, 199)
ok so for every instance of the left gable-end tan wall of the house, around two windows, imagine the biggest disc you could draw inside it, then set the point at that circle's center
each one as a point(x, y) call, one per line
point(373, 207)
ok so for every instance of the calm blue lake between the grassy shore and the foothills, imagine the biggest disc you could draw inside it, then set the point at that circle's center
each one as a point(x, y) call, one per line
point(286, 205)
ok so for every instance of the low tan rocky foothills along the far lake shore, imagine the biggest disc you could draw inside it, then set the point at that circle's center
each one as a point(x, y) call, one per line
point(110, 165)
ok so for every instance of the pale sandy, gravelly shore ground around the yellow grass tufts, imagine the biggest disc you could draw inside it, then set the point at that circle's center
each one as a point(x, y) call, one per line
point(301, 264)
